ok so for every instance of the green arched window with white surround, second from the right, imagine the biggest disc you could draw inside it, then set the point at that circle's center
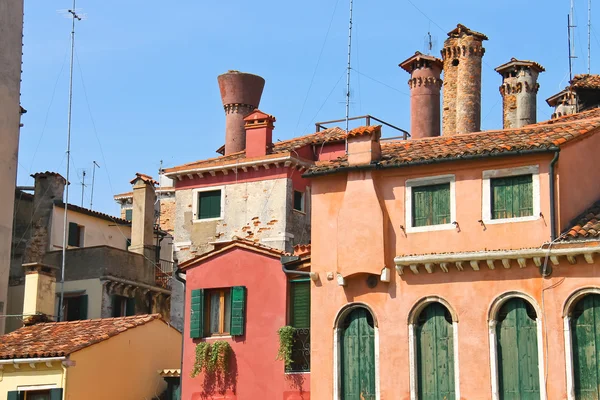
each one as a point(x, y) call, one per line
point(515, 343)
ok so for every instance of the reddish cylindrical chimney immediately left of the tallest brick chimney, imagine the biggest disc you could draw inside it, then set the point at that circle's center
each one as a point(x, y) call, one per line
point(425, 85)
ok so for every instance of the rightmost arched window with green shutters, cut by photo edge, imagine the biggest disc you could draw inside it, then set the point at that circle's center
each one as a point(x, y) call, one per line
point(582, 344)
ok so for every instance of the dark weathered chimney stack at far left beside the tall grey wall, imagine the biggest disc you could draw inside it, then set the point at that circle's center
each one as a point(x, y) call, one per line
point(49, 187)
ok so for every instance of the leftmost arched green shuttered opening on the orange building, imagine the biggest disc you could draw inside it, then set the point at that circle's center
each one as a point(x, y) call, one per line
point(358, 356)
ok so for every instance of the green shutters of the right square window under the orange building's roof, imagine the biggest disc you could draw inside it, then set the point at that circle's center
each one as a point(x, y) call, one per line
point(512, 196)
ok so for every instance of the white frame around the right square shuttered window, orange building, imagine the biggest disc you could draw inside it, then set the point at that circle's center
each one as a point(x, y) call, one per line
point(486, 194)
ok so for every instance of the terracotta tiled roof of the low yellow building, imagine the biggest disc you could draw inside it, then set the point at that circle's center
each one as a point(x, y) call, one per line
point(57, 339)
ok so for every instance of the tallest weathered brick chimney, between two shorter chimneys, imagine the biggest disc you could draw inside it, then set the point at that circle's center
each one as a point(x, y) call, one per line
point(462, 54)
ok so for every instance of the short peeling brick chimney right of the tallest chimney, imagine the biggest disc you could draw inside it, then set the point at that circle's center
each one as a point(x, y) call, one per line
point(519, 92)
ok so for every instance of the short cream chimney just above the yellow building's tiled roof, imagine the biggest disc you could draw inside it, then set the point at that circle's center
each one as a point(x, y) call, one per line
point(40, 293)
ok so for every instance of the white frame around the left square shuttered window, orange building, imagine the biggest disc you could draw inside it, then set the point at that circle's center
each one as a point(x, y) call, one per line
point(427, 181)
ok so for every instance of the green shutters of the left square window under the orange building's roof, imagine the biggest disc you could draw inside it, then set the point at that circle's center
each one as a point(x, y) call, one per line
point(431, 205)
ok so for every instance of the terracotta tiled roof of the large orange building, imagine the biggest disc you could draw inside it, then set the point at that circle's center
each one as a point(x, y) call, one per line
point(544, 136)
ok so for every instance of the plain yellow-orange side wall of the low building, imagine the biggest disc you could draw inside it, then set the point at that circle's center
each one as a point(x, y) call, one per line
point(125, 366)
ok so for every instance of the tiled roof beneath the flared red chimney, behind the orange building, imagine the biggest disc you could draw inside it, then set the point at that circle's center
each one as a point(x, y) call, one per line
point(327, 135)
